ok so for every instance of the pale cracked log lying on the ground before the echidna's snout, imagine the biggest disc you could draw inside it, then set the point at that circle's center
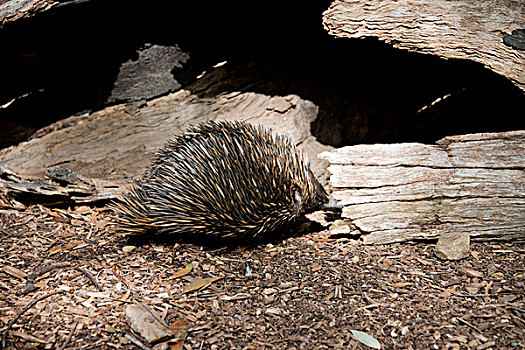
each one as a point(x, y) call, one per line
point(470, 183)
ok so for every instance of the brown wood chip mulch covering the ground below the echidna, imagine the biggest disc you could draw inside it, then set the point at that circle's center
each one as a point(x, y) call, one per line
point(66, 280)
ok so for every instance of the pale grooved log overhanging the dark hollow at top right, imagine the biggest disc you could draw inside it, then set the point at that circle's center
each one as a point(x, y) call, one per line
point(463, 29)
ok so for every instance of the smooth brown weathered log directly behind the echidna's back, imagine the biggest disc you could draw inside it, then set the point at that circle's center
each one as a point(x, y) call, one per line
point(95, 159)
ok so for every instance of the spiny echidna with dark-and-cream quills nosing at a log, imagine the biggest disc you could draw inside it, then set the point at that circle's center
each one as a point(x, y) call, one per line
point(222, 179)
